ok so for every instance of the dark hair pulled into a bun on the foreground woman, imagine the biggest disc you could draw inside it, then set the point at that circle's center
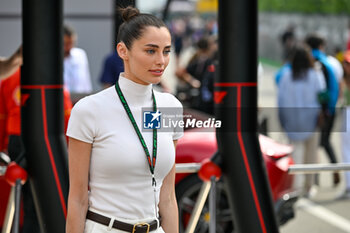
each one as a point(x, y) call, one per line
point(134, 24)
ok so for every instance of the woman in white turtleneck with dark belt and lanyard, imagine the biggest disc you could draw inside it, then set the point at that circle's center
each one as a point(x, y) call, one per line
point(130, 174)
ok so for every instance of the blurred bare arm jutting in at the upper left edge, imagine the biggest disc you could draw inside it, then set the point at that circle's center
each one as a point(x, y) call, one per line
point(9, 65)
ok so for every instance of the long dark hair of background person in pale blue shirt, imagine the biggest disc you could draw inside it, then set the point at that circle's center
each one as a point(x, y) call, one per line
point(301, 60)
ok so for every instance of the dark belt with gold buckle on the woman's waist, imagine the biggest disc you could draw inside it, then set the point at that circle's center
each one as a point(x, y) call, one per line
point(136, 228)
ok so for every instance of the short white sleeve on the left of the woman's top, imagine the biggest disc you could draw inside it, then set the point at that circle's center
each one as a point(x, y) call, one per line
point(81, 125)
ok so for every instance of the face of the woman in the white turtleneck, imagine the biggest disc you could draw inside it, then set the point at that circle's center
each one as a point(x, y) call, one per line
point(148, 56)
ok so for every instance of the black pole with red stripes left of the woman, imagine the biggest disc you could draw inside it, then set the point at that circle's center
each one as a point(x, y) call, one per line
point(42, 111)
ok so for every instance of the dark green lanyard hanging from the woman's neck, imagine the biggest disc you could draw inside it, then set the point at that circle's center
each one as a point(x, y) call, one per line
point(152, 163)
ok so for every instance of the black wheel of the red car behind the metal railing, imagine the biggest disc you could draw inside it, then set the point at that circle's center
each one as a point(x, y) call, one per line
point(186, 193)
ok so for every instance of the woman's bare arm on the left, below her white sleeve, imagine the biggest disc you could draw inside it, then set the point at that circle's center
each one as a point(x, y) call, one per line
point(79, 164)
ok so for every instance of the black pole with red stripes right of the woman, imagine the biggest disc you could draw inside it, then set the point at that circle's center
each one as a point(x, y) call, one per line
point(236, 105)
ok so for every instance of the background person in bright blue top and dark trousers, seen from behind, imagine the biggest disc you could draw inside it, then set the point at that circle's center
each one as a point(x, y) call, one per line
point(329, 99)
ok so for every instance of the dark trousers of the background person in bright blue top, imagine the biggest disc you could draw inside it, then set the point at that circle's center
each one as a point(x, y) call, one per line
point(326, 130)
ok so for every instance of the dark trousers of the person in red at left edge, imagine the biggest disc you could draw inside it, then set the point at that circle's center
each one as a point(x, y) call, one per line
point(30, 223)
